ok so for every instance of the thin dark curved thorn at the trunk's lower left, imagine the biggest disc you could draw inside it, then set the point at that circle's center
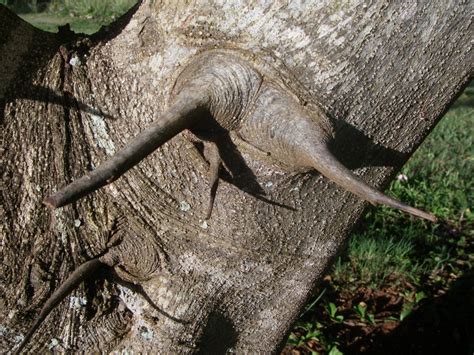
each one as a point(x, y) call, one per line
point(84, 271)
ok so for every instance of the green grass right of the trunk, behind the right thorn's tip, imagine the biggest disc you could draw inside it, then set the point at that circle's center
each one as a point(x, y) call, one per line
point(440, 178)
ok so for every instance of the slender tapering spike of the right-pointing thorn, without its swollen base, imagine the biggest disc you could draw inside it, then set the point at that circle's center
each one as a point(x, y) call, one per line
point(328, 165)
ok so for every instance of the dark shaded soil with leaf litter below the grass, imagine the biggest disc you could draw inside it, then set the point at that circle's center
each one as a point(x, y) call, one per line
point(441, 323)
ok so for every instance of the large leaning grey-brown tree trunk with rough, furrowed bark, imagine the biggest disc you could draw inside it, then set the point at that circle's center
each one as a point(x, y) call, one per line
point(257, 87)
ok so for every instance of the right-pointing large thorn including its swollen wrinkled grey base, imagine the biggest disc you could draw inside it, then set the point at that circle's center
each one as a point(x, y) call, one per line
point(299, 139)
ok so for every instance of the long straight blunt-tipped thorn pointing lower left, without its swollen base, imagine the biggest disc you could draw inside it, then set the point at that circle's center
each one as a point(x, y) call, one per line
point(178, 117)
